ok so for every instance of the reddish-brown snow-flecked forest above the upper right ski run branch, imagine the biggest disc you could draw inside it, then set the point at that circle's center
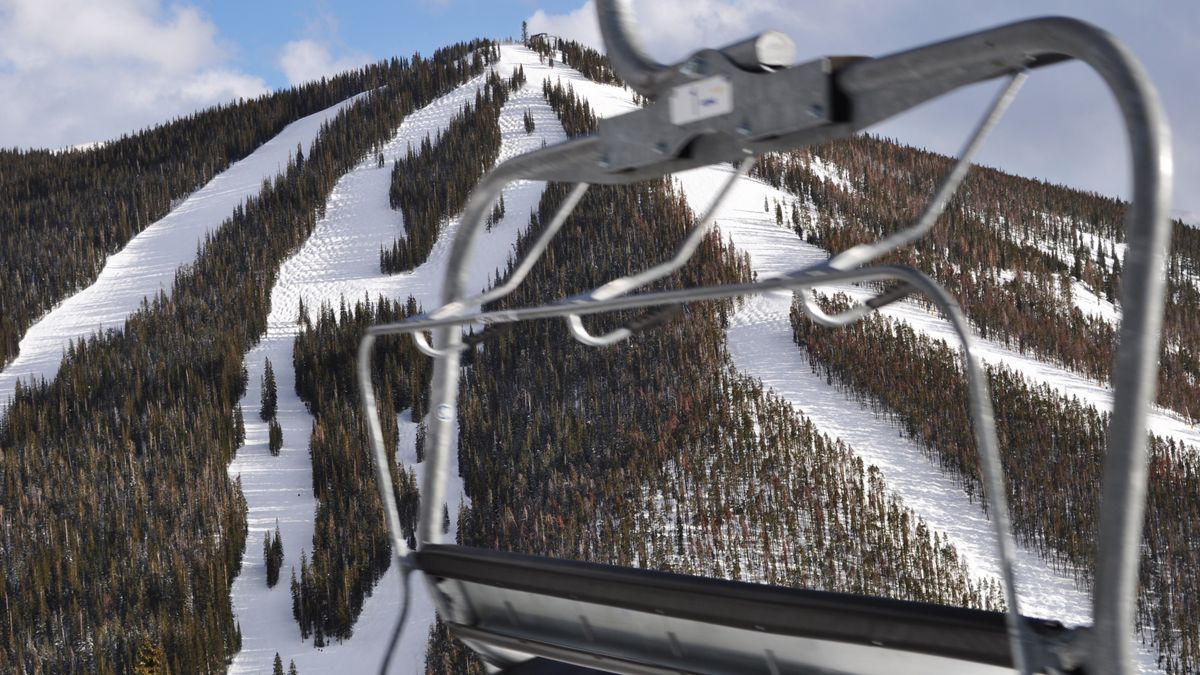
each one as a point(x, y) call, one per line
point(1007, 248)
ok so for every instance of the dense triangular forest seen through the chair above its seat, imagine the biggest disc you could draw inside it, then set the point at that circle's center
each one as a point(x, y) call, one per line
point(657, 453)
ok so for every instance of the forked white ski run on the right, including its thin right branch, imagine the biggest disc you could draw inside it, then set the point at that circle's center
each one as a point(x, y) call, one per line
point(760, 341)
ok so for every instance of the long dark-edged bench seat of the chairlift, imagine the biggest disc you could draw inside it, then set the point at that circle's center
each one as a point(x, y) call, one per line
point(529, 614)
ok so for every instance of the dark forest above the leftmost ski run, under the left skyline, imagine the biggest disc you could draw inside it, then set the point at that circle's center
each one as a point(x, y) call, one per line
point(67, 212)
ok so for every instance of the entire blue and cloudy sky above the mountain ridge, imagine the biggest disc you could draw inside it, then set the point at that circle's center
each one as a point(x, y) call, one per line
point(79, 71)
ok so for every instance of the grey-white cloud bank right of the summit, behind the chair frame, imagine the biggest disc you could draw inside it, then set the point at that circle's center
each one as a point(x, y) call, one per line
point(1063, 128)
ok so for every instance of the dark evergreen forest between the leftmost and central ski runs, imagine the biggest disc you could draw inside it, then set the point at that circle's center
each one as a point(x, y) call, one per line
point(122, 524)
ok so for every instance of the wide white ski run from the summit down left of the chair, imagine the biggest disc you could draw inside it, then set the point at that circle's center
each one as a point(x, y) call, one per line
point(341, 259)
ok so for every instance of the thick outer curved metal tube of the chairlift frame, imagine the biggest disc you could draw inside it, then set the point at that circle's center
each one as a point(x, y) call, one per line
point(877, 91)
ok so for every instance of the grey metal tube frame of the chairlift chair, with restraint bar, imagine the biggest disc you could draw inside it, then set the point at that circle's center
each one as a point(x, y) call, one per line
point(791, 107)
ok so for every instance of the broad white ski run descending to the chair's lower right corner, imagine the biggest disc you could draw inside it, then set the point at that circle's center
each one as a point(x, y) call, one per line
point(760, 341)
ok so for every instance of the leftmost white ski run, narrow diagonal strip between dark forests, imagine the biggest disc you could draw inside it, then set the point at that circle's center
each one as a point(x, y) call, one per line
point(148, 264)
